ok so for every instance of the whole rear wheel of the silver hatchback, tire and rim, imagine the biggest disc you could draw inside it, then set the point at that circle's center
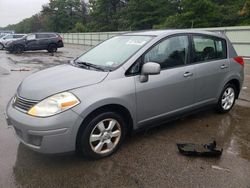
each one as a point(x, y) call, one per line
point(227, 98)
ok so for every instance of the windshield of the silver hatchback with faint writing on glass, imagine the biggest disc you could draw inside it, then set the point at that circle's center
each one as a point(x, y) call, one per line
point(113, 52)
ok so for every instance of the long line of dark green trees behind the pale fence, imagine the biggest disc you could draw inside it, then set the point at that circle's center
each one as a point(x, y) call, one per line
point(124, 15)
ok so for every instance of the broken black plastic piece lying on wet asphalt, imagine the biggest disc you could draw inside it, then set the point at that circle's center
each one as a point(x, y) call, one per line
point(206, 150)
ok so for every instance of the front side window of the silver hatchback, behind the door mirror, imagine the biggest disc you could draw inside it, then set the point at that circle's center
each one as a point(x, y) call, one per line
point(171, 52)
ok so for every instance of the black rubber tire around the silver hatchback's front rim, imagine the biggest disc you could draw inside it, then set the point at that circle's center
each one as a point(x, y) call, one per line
point(84, 146)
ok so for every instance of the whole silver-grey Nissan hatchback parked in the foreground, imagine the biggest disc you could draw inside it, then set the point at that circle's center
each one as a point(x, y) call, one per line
point(123, 84)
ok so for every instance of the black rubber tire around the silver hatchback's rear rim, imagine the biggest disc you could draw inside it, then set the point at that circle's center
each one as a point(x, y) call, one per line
point(220, 105)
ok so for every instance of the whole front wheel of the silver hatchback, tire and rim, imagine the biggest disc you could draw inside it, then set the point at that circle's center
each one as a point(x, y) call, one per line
point(102, 135)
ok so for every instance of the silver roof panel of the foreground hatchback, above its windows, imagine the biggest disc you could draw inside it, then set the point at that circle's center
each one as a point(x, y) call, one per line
point(161, 33)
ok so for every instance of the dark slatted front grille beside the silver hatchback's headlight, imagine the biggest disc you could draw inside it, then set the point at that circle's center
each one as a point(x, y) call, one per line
point(23, 104)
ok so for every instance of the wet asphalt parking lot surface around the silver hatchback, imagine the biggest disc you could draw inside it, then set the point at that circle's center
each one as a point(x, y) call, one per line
point(147, 159)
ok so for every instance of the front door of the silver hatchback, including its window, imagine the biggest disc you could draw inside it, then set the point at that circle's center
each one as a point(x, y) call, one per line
point(173, 89)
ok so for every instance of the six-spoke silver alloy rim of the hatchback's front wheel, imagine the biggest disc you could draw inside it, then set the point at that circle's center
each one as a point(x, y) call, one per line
point(105, 136)
